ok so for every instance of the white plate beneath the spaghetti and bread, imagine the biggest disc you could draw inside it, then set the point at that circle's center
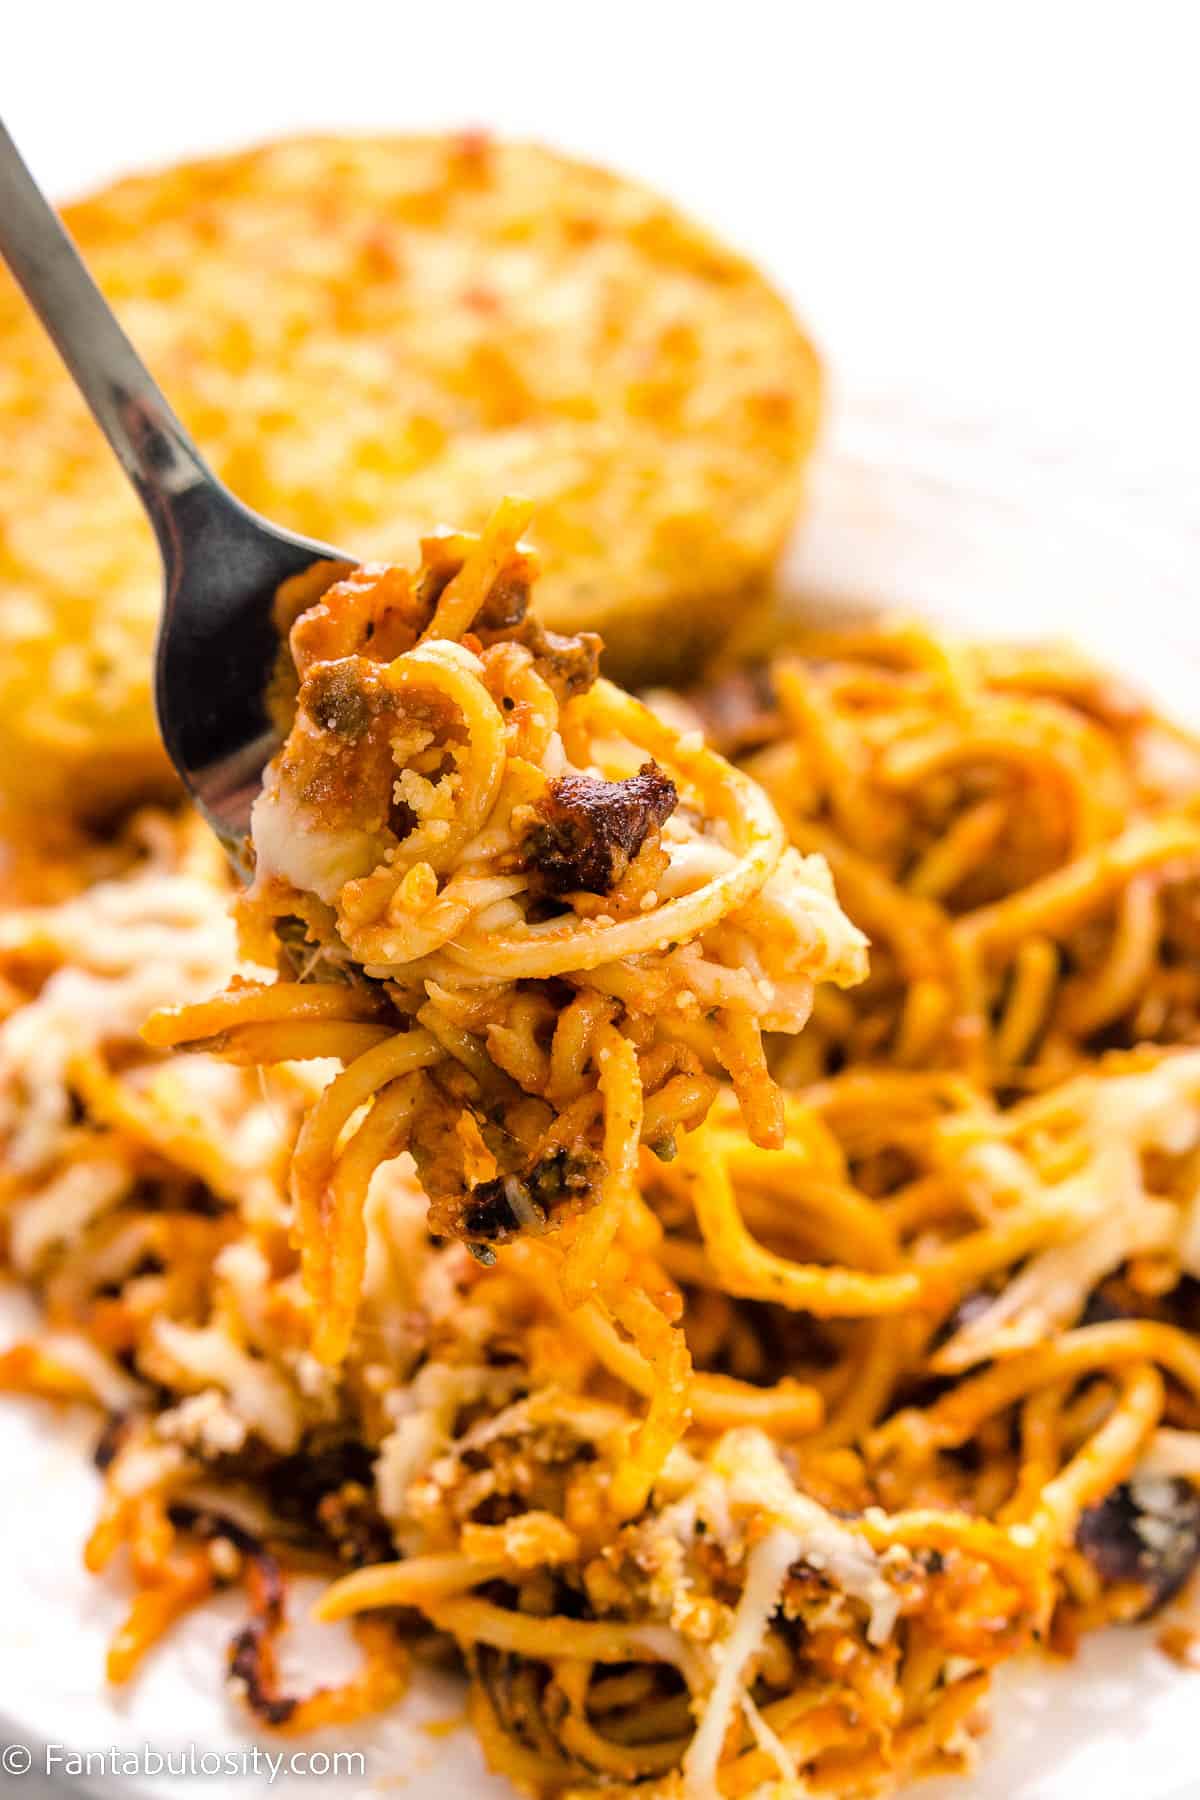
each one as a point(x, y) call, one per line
point(936, 521)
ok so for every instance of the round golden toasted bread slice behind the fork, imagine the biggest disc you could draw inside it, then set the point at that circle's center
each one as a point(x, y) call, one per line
point(375, 336)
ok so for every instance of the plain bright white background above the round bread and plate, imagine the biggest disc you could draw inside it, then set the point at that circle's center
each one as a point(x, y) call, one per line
point(983, 210)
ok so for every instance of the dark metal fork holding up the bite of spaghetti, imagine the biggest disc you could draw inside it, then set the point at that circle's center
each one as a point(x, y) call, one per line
point(219, 643)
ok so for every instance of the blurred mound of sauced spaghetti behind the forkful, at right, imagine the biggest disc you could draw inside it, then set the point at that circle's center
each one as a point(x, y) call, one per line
point(1017, 832)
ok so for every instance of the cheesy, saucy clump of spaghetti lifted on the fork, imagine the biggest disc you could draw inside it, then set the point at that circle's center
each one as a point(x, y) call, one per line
point(542, 921)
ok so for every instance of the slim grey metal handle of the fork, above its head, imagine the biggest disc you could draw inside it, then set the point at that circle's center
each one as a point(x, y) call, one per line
point(152, 445)
